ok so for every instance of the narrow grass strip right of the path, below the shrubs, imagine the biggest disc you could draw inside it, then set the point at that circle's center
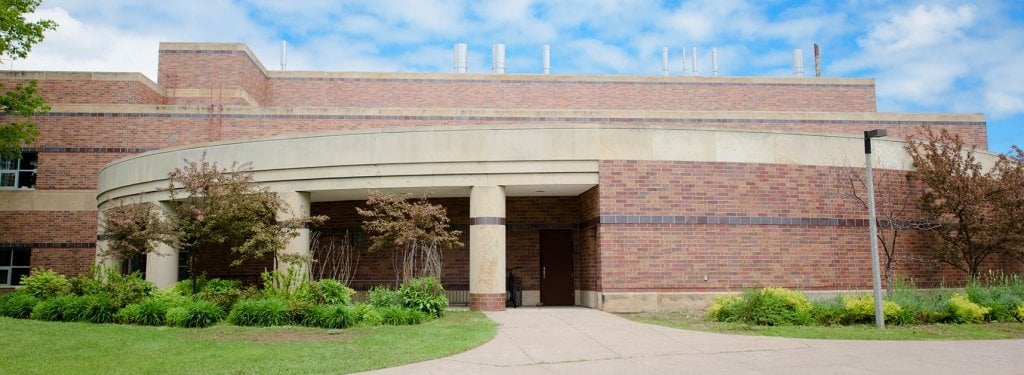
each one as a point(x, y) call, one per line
point(695, 321)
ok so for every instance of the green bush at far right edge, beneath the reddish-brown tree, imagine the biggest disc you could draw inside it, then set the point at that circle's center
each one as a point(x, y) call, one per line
point(1001, 295)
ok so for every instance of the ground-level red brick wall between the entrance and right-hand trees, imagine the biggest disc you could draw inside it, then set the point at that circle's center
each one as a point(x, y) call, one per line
point(676, 257)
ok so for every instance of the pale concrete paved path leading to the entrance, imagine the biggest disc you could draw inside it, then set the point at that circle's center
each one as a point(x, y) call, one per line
point(576, 341)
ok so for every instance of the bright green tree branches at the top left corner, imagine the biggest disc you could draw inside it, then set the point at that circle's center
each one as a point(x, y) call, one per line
point(17, 38)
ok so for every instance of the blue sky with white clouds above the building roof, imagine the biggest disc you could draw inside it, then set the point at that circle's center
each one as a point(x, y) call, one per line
point(934, 57)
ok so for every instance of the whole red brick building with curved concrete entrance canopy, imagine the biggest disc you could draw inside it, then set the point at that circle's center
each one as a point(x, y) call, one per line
point(610, 192)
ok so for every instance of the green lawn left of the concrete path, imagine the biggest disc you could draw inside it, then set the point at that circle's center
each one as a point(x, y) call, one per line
point(47, 348)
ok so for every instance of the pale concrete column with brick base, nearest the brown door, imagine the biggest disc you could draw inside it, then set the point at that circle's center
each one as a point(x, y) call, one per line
point(487, 248)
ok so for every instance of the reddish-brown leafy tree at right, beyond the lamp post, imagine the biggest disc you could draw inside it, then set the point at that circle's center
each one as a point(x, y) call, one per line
point(966, 202)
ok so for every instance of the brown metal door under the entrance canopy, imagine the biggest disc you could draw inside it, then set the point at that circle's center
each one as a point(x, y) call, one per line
point(557, 268)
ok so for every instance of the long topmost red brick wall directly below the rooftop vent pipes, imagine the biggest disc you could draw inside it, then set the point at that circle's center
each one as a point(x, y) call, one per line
point(542, 94)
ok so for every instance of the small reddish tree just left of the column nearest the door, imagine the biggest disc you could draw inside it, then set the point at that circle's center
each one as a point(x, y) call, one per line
point(416, 233)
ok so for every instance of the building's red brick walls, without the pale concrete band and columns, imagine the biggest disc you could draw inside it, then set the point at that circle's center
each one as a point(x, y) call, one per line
point(647, 227)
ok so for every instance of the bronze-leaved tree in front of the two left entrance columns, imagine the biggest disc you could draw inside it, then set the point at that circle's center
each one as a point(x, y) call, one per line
point(227, 207)
